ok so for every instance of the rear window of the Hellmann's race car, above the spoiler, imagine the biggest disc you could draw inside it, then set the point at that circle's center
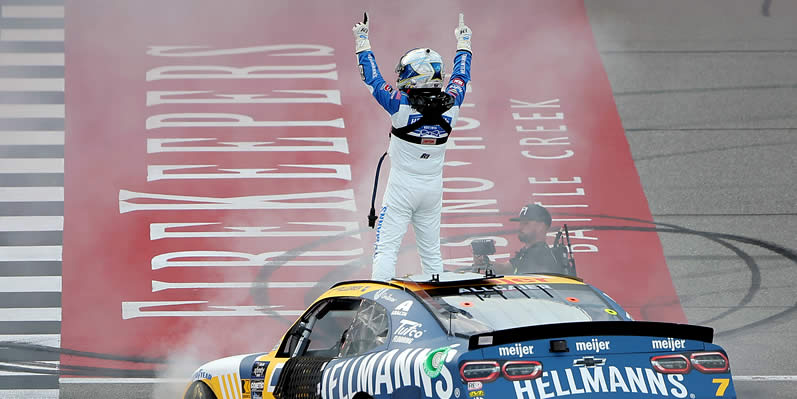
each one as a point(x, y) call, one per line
point(482, 309)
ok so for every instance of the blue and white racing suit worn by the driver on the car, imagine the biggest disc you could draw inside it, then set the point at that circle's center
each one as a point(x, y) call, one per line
point(414, 190)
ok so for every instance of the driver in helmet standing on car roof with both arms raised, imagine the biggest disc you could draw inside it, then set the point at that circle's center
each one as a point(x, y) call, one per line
point(422, 113)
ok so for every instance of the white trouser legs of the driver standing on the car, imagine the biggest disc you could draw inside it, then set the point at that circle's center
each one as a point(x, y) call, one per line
point(408, 197)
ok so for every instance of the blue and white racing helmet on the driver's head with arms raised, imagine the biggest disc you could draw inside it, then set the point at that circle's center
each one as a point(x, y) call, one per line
point(420, 68)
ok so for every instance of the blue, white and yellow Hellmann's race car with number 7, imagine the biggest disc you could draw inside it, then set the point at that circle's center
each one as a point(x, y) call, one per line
point(472, 336)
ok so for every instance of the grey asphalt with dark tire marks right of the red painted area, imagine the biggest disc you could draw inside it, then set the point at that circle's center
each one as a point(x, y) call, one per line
point(706, 92)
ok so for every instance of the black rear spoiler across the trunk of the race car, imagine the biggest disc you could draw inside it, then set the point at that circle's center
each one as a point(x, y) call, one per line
point(579, 329)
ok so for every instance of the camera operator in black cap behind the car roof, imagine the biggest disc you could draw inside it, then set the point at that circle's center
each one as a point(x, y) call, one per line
point(536, 256)
